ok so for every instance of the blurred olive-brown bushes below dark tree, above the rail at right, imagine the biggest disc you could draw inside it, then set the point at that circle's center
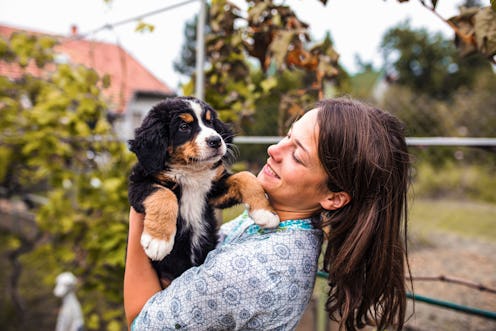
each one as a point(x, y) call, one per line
point(471, 111)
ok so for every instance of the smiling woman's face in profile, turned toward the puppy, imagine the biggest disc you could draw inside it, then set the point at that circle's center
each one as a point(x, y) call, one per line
point(293, 177)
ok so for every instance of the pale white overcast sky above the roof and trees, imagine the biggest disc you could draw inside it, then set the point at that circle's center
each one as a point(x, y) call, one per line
point(356, 26)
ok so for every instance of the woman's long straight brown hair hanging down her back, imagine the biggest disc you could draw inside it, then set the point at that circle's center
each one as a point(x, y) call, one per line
point(364, 153)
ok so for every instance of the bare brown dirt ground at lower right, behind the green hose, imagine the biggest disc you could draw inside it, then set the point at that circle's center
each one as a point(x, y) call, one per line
point(451, 255)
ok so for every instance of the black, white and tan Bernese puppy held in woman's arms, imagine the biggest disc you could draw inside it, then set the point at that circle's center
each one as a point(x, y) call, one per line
point(179, 179)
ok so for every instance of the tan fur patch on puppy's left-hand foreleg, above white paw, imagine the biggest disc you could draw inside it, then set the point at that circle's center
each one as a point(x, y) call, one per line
point(161, 214)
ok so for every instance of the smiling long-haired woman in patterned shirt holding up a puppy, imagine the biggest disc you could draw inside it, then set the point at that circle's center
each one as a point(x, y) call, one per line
point(343, 168)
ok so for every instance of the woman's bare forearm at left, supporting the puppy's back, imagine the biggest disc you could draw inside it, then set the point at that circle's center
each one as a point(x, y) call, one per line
point(140, 279)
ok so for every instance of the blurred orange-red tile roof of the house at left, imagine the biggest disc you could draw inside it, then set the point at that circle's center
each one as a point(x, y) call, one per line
point(127, 74)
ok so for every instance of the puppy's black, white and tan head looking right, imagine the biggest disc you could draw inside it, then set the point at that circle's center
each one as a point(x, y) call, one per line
point(180, 131)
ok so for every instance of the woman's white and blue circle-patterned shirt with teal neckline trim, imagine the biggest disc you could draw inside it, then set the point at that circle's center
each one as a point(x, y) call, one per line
point(255, 279)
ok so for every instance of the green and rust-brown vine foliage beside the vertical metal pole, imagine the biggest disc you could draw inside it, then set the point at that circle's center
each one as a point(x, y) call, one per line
point(273, 35)
